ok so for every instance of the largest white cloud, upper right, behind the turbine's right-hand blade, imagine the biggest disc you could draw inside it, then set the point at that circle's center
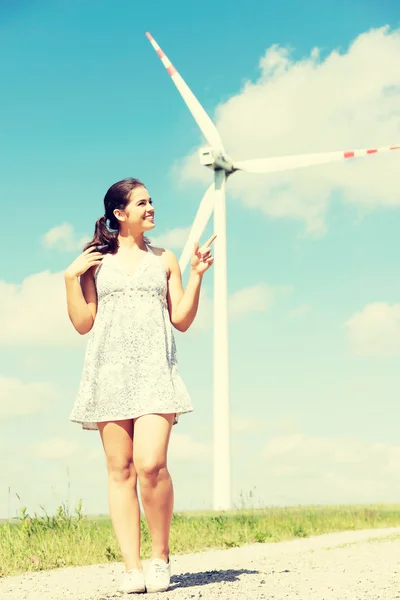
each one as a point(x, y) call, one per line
point(345, 101)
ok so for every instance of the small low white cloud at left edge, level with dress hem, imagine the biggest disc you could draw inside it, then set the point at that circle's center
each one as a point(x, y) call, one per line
point(19, 398)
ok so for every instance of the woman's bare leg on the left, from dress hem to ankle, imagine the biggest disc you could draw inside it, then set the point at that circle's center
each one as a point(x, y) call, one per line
point(117, 438)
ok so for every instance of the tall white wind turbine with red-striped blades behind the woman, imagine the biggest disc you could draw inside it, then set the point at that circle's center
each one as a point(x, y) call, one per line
point(216, 158)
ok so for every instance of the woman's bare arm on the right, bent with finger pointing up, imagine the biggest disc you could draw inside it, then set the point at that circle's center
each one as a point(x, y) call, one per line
point(183, 304)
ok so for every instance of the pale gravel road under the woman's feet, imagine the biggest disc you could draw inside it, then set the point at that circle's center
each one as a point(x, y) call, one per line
point(354, 565)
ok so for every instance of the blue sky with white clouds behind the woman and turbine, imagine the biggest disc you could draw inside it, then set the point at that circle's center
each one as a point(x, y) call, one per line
point(313, 255)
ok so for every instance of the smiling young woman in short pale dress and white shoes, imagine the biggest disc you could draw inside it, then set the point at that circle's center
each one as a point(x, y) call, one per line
point(127, 294)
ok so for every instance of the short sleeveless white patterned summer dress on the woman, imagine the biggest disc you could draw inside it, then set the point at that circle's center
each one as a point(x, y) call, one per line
point(130, 366)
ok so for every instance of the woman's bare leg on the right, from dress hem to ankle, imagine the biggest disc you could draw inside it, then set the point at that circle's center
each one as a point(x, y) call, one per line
point(152, 433)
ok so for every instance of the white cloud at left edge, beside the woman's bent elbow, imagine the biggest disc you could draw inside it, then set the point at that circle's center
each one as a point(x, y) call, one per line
point(35, 312)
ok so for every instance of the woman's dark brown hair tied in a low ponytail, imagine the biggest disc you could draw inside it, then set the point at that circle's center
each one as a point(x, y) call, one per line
point(106, 235)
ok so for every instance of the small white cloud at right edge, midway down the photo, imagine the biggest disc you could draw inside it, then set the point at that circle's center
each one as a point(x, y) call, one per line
point(375, 331)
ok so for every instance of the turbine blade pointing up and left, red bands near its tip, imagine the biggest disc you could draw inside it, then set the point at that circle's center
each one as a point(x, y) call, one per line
point(201, 117)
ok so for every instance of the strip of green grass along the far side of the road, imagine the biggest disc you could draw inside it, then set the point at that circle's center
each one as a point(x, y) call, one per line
point(49, 542)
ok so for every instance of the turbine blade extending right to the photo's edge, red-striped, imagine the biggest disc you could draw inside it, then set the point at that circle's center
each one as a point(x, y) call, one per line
point(286, 163)
